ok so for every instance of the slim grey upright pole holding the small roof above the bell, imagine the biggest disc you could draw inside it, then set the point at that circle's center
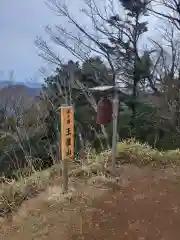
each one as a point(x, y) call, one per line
point(115, 124)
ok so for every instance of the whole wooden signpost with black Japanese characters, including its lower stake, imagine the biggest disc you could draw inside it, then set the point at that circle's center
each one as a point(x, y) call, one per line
point(66, 141)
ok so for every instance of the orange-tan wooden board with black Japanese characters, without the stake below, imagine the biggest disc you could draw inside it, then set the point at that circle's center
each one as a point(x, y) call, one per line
point(67, 132)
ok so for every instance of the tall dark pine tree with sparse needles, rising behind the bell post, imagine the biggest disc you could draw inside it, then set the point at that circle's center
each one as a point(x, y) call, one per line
point(135, 66)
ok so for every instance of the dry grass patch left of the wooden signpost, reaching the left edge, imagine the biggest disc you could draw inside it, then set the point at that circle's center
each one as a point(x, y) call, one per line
point(15, 192)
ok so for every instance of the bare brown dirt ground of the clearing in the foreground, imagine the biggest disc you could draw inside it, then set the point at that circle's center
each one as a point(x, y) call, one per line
point(145, 206)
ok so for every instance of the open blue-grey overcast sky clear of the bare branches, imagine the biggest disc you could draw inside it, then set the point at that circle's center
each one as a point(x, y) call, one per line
point(20, 22)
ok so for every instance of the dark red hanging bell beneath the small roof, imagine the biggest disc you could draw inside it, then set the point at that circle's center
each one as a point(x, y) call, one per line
point(104, 111)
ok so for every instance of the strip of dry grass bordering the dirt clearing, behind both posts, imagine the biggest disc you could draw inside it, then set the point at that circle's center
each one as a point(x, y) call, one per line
point(14, 193)
